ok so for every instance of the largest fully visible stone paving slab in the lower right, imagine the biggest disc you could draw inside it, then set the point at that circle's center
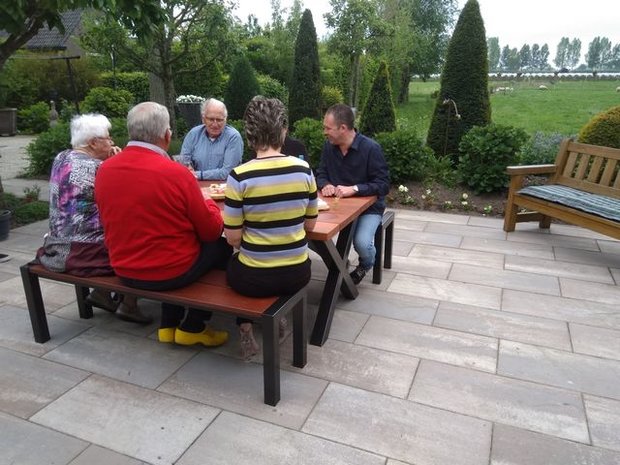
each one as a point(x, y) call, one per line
point(531, 406)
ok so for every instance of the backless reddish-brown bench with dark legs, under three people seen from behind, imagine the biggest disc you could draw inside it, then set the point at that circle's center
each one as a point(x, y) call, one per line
point(208, 293)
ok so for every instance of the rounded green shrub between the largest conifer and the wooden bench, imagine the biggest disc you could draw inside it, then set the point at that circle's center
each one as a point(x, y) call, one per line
point(486, 151)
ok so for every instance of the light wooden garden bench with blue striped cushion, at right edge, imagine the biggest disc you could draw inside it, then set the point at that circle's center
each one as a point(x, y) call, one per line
point(583, 189)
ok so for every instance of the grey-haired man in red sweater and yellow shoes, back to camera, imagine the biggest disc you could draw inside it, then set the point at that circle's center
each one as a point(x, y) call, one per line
point(161, 233)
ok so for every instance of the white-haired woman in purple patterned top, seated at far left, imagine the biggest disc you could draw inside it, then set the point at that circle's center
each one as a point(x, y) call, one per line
point(74, 243)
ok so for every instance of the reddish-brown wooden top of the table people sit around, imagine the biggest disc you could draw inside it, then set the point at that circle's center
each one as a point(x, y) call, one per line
point(330, 222)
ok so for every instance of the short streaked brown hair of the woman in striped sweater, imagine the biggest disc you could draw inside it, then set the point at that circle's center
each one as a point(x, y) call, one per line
point(266, 122)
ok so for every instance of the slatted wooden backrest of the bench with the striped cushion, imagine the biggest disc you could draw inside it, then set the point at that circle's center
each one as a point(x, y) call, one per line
point(589, 168)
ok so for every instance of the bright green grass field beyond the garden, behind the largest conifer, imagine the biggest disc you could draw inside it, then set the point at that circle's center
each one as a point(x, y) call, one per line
point(564, 108)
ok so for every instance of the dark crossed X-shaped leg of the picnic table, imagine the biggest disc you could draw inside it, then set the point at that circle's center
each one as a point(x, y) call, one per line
point(335, 258)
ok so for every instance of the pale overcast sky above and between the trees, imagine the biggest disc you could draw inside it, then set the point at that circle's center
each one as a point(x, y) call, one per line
point(514, 22)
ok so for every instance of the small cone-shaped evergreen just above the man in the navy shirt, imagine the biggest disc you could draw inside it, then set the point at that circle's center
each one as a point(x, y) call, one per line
point(378, 115)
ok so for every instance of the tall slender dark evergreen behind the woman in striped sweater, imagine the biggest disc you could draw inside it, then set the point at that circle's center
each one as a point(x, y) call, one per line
point(305, 89)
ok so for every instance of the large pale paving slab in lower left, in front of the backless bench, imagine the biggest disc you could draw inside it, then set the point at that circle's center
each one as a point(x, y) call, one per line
point(128, 419)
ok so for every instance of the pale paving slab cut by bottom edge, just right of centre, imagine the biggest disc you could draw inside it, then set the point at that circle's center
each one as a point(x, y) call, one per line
point(400, 429)
